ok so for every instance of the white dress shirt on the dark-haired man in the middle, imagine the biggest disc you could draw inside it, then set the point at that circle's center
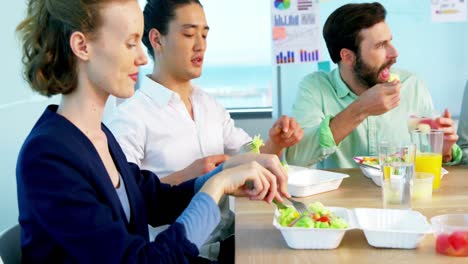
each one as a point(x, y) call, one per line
point(156, 131)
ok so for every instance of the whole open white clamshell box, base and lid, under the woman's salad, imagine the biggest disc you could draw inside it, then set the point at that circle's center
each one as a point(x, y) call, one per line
point(383, 228)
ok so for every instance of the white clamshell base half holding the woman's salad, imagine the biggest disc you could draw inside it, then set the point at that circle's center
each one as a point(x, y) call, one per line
point(315, 238)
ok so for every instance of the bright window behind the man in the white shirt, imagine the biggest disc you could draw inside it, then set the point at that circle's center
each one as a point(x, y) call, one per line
point(237, 68)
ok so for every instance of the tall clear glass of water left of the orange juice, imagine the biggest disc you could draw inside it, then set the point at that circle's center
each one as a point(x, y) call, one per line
point(397, 165)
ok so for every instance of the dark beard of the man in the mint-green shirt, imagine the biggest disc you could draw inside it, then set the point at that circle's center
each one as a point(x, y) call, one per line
point(366, 74)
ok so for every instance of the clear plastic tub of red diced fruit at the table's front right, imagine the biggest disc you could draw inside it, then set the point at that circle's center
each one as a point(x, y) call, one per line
point(451, 232)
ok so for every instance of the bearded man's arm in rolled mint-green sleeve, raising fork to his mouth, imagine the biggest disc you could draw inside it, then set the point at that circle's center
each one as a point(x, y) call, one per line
point(324, 132)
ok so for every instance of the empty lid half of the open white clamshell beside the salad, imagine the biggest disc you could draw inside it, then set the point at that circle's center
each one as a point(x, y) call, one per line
point(392, 228)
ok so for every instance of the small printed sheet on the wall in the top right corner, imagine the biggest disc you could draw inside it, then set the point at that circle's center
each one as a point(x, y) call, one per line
point(448, 10)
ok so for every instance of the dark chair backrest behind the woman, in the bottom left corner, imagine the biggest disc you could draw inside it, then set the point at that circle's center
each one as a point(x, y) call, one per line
point(10, 245)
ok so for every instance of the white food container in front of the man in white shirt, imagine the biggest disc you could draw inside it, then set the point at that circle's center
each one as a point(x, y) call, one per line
point(304, 181)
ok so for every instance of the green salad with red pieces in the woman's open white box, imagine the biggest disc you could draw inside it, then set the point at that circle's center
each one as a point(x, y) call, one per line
point(317, 216)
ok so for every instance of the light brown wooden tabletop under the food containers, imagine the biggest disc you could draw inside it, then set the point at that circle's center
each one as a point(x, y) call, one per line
point(257, 241)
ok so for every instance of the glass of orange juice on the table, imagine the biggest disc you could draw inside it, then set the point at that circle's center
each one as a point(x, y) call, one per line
point(429, 152)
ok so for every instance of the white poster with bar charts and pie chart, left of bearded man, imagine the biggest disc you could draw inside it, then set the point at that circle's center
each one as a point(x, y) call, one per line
point(296, 31)
